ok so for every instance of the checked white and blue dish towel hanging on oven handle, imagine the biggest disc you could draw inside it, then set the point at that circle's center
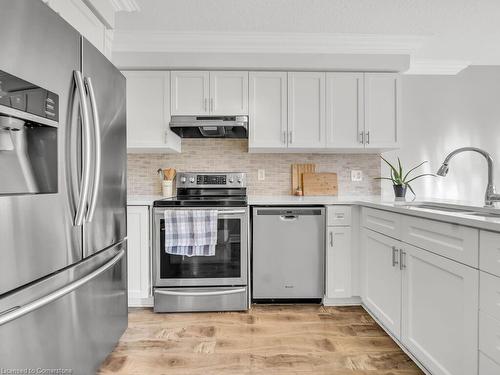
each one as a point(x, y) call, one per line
point(190, 232)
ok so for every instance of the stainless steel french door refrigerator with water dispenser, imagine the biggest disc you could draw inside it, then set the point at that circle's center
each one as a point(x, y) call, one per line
point(63, 290)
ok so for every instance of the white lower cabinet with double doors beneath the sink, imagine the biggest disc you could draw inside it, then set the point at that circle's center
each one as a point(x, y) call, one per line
point(427, 301)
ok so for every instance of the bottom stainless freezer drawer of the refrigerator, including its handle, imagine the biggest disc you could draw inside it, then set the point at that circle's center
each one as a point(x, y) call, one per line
point(74, 330)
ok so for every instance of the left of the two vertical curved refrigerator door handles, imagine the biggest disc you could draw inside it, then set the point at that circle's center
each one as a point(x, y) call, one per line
point(87, 149)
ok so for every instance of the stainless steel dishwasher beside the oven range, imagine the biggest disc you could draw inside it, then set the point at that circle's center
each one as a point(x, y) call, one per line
point(288, 252)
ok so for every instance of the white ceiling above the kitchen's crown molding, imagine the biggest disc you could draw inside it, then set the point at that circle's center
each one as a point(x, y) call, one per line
point(448, 31)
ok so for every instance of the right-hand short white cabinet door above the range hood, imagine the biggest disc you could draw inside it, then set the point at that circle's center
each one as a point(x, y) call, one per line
point(229, 93)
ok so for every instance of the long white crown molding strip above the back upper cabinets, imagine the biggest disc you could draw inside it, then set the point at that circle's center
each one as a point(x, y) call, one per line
point(243, 42)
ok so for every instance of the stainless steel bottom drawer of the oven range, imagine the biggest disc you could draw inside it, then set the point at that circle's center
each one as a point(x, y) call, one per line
point(201, 299)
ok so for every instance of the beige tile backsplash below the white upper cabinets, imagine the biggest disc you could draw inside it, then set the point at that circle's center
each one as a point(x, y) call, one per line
point(231, 155)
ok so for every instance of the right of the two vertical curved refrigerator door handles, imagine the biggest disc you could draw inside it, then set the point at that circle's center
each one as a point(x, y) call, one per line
point(97, 149)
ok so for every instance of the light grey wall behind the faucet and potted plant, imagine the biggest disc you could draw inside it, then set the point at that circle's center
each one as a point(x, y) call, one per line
point(441, 113)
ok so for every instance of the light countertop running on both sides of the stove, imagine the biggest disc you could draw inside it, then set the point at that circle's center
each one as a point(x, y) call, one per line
point(408, 208)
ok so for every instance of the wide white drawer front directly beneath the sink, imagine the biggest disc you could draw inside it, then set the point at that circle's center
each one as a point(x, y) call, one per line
point(449, 240)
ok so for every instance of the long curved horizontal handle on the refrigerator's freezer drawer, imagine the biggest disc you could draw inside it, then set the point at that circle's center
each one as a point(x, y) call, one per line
point(32, 306)
